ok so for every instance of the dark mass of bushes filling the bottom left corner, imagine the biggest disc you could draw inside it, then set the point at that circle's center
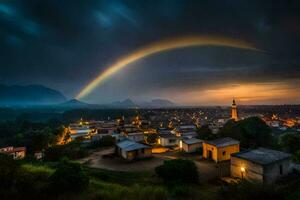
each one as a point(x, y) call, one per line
point(19, 182)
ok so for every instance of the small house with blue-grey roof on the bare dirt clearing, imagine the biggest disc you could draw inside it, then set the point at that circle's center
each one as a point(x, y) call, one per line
point(131, 150)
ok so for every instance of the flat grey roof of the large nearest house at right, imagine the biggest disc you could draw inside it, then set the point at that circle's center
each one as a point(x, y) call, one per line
point(262, 156)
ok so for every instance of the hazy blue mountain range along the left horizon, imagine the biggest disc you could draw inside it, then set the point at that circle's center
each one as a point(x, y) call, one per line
point(38, 95)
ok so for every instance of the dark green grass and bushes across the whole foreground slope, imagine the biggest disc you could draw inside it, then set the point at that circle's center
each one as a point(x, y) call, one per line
point(69, 180)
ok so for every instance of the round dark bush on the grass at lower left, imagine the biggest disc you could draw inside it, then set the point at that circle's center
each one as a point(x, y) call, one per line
point(69, 177)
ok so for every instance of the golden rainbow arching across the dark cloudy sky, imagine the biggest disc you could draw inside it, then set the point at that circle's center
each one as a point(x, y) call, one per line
point(163, 45)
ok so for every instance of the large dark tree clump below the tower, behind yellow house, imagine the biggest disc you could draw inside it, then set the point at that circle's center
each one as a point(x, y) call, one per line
point(252, 132)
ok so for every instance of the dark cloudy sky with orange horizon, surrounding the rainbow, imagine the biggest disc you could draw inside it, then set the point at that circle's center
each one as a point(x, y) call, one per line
point(66, 44)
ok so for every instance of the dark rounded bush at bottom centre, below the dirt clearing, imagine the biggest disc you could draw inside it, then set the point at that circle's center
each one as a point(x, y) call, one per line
point(178, 170)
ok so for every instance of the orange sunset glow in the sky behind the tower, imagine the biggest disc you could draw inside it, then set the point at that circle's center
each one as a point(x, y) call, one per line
point(264, 93)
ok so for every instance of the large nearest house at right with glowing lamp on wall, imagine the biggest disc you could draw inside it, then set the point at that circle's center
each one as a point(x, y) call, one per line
point(262, 165)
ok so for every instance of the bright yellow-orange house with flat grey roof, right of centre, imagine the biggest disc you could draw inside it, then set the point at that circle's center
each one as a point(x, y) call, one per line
point(220, 149)
